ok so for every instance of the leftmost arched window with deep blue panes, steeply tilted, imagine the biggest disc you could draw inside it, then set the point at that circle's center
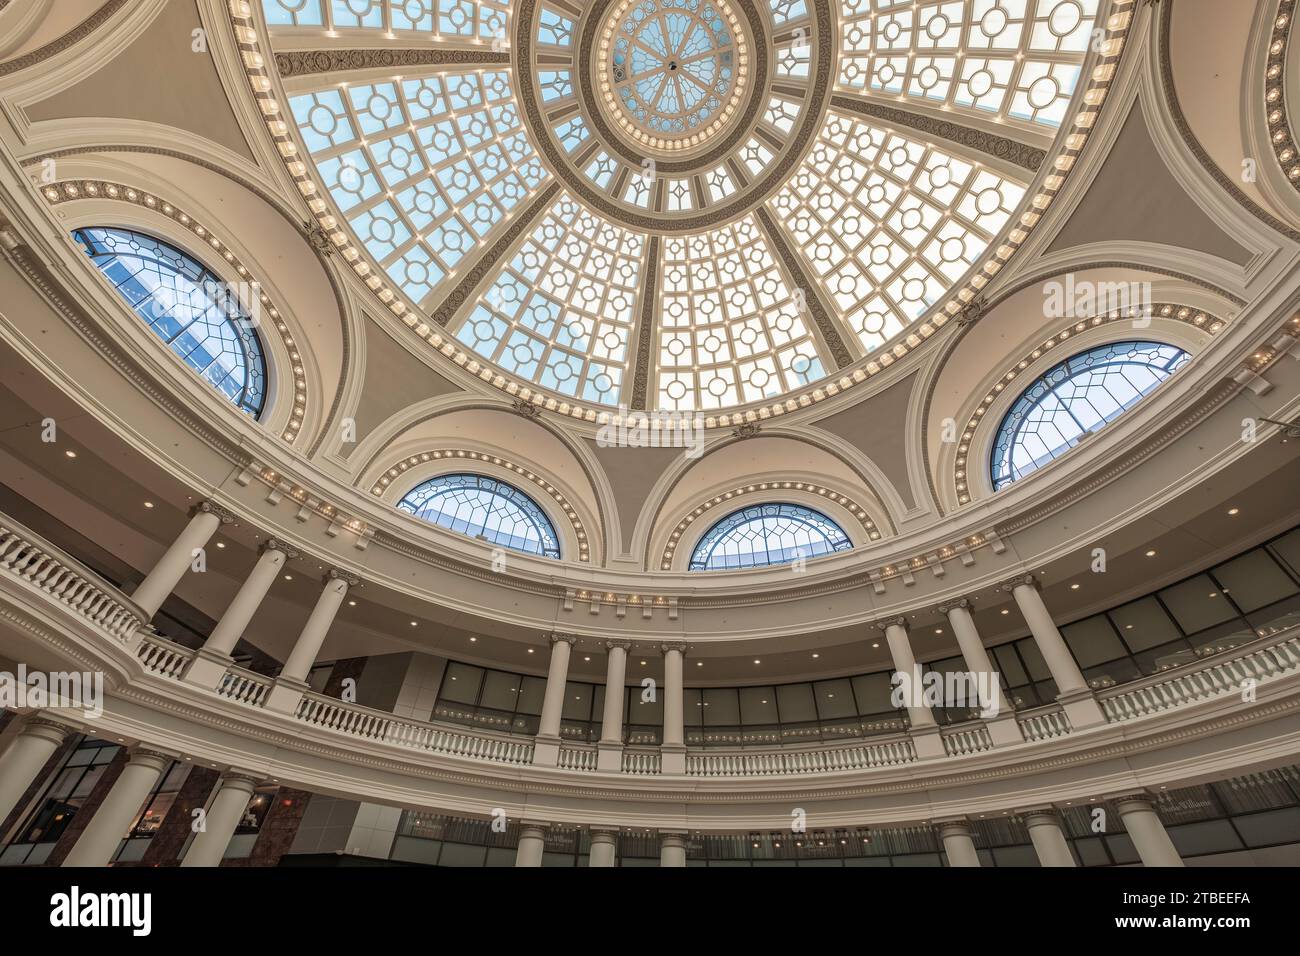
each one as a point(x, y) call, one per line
point(189, 308)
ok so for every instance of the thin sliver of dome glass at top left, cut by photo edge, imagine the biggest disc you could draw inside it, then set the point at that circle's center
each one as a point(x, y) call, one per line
point(431, 19)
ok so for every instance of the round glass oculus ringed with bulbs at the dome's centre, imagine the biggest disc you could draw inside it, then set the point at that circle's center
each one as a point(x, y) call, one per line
point(673, 73)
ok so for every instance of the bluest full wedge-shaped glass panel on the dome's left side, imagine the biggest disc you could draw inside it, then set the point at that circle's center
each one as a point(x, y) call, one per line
point(423, 170)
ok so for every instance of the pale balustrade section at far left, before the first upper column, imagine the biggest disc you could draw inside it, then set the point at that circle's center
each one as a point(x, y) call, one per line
point(33, 560)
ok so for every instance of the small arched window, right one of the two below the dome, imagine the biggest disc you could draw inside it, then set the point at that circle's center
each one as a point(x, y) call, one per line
point(768, 535)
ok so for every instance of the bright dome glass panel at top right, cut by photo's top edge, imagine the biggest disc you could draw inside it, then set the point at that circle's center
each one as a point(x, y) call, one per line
point(1015, 60)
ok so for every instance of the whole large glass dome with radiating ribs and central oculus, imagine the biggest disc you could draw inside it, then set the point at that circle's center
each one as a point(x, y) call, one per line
point(681, 205)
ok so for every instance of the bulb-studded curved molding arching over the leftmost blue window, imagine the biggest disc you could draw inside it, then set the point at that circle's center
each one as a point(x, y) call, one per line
point(73, 191)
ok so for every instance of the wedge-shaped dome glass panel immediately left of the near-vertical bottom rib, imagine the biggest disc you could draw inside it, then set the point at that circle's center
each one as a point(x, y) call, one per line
point(561, 312)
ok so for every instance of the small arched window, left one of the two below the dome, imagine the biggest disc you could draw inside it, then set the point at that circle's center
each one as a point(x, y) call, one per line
point(484, 508)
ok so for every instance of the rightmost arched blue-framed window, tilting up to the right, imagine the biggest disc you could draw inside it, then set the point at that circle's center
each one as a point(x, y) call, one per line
point(1074, 399)
